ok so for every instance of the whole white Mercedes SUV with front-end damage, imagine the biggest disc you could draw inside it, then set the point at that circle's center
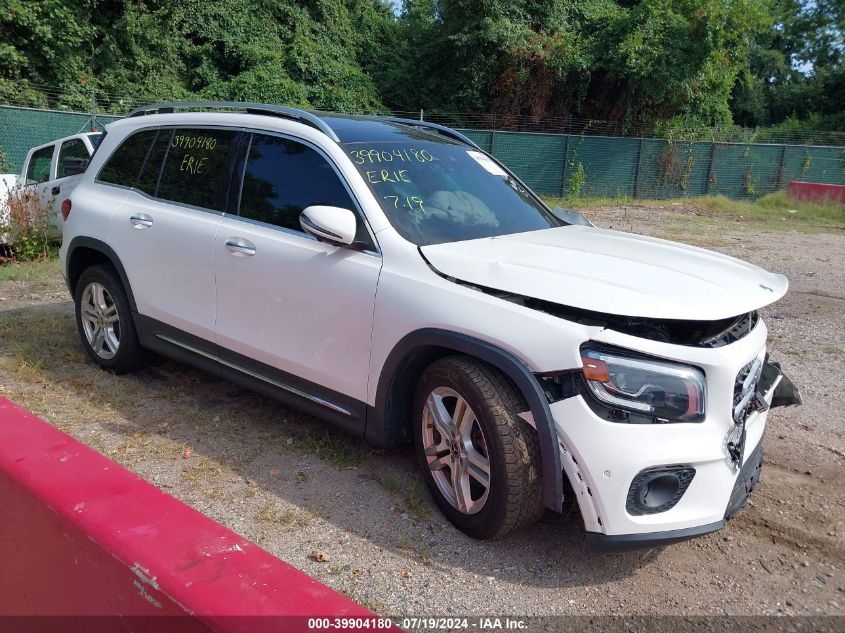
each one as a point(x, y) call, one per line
point(388, 276)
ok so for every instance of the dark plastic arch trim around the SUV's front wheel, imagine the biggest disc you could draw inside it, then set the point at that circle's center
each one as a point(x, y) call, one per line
point(388, 423)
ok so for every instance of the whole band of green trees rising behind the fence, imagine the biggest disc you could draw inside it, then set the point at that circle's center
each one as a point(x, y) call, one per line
point(670, 65)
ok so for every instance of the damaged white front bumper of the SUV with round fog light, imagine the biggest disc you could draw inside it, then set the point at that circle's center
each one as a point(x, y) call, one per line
point(611, 465)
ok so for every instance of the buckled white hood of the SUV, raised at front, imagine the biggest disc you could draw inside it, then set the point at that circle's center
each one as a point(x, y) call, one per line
point(611, 272)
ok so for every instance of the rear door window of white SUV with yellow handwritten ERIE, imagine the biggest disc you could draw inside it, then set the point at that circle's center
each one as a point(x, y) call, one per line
point(196, 166)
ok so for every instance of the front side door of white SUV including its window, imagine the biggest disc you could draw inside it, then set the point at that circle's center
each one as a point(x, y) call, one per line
point(295, 311)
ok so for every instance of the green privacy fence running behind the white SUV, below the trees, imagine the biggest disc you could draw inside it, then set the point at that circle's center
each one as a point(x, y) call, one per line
point(557, 164)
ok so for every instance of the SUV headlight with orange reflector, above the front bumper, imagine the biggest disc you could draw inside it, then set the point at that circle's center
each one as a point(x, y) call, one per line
point(658, 390)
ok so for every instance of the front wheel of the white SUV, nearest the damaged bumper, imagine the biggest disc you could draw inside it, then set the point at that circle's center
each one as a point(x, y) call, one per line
point(480, 461)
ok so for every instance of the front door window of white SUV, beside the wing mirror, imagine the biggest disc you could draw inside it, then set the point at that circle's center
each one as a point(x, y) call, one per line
point(284, 177)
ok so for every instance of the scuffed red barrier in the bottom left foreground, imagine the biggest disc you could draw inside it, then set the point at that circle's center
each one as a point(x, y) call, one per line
point(82, 536)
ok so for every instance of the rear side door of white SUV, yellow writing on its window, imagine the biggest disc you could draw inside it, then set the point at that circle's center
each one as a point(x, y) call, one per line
point(164, 231)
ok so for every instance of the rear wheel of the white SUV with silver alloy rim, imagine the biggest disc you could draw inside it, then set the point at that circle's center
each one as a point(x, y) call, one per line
point(105, 321)
